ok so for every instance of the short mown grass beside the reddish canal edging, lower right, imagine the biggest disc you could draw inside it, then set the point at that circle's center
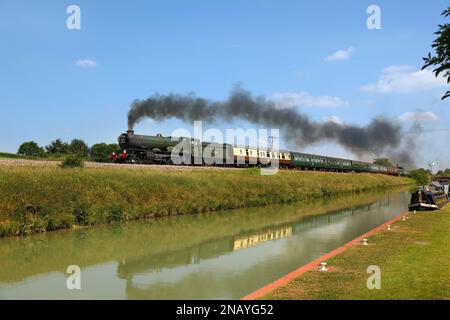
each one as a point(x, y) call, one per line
point(413, 259)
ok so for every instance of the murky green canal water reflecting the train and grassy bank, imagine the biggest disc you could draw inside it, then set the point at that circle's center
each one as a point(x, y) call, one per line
point(222, 255)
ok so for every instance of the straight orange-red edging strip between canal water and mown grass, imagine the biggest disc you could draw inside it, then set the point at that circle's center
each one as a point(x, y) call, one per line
point(313, 264)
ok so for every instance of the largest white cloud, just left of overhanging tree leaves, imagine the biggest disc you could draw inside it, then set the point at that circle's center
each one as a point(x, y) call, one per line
point(403, 79)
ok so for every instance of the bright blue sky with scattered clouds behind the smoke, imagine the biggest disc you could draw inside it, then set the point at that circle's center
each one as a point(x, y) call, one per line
point(319, 55)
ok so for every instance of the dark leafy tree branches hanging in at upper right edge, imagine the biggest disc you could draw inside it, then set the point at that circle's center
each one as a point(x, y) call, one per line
point(441, 59)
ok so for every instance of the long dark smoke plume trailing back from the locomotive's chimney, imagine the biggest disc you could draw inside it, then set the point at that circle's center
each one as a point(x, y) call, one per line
point(379, 135)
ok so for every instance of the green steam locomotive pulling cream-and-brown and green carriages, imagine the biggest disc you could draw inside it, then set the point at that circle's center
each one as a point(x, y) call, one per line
point(142, 149)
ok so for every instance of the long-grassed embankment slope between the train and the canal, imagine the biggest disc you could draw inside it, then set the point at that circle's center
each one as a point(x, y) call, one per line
point(38, 199)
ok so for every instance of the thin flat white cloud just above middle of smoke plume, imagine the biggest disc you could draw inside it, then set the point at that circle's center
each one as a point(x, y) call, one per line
point(305, 99)
